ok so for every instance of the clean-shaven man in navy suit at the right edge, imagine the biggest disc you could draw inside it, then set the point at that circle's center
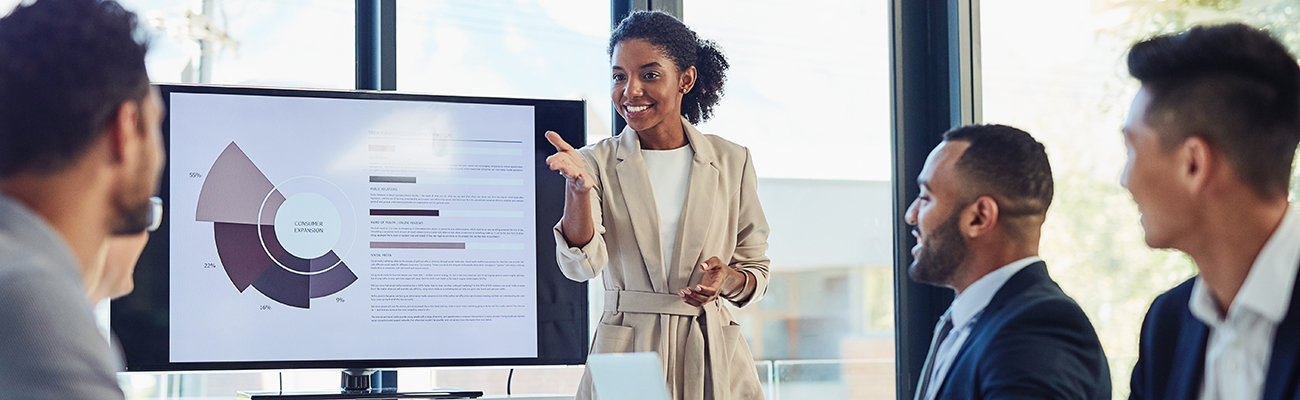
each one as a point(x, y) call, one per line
point(1212, 136)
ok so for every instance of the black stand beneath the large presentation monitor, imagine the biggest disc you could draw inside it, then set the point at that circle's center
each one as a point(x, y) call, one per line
point(365, 384)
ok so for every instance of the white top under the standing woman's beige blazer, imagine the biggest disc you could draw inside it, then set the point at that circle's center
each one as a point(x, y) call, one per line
point(670, 177)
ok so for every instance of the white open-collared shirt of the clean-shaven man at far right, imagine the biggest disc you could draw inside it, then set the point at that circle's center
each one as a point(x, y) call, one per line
point(1240, 345)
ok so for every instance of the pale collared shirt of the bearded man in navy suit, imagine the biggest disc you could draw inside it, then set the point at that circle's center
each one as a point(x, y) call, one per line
point(965, 311)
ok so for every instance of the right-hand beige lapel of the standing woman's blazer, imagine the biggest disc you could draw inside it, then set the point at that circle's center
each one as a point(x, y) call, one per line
point(699, 210)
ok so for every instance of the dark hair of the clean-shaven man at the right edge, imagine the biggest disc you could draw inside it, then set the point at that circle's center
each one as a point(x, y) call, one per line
point(1232, 85)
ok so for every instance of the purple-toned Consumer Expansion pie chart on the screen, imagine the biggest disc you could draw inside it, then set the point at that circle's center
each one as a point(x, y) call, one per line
point(285, 240)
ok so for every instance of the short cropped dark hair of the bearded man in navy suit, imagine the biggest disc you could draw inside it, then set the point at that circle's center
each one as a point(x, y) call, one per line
point(1008, 164)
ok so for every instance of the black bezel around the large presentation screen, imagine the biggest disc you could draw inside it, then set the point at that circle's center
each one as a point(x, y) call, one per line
point(141, 319)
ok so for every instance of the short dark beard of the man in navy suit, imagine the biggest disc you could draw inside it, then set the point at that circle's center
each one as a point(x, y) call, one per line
point(942, 253)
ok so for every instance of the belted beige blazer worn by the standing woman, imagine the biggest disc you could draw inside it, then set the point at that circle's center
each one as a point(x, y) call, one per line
point(704, 353)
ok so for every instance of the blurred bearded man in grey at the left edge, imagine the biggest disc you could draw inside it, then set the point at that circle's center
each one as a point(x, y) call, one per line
point(80, 156)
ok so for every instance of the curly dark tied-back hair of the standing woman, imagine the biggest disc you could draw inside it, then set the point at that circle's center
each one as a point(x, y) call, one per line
point(681, 45)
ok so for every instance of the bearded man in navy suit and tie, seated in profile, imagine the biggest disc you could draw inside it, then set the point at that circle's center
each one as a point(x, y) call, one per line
point(1011, 333)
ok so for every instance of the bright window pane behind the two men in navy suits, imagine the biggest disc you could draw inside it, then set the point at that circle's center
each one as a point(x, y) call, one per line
point(1058, 71)
